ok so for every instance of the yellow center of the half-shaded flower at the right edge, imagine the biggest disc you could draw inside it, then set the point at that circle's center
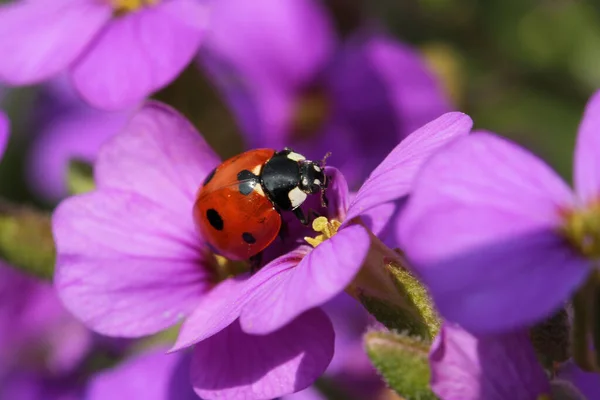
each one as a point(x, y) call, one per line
point(582, 229)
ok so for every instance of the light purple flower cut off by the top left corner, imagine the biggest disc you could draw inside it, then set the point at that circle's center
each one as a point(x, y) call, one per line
point(122, 50)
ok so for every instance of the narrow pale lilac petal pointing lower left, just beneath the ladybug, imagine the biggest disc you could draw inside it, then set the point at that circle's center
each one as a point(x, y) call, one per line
point(223, 304)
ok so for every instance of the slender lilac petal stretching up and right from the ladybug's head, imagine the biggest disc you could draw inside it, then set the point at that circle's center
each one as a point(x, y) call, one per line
point(394, 177)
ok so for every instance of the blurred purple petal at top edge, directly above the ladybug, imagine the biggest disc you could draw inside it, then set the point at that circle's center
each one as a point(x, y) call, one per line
point(260, 73)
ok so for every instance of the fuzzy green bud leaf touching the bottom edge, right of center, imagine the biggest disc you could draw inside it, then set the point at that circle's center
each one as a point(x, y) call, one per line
point(402, 361)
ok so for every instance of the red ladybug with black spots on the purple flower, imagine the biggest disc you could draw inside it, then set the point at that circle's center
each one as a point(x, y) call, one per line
point(238, 208)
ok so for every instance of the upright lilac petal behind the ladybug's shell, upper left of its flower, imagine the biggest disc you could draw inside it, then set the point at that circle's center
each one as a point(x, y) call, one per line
point(160, 156)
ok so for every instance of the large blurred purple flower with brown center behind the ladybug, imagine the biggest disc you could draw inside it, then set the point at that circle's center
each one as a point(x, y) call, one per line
point(305, 88)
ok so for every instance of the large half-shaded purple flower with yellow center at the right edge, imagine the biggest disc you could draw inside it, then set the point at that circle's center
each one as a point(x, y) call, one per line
point(497, 236)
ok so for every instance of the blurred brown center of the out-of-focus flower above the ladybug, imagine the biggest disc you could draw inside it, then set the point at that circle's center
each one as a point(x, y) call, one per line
point(310, 113)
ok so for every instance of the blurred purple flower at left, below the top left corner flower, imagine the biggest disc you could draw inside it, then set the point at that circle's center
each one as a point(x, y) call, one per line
point(68, 129)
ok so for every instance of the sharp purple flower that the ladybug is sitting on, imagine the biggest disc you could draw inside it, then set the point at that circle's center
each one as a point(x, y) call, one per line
point(130, 262)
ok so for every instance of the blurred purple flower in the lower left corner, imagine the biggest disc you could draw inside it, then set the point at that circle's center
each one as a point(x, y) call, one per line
point(40, 344)
